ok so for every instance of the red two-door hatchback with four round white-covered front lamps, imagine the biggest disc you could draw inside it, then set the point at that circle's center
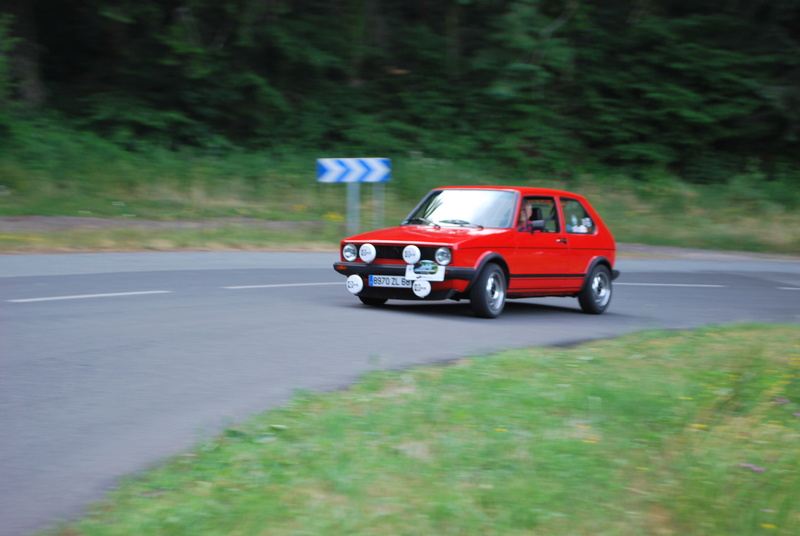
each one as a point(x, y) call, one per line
point(486, 244)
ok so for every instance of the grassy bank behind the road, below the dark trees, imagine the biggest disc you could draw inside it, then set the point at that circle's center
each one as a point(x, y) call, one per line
point(89, 178)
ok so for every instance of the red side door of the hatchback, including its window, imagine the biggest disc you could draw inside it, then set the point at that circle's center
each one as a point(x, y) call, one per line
point(541, 262)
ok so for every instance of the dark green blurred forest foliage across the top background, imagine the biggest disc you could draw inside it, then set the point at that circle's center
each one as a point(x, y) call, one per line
point(554, 86)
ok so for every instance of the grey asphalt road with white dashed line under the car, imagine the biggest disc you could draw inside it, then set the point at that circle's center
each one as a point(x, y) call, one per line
point(111, 362)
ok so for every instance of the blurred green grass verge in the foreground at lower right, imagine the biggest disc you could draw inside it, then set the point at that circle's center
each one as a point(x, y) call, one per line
point(692, 432)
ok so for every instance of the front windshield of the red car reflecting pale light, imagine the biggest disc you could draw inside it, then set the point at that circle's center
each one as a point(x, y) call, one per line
point(465, 208)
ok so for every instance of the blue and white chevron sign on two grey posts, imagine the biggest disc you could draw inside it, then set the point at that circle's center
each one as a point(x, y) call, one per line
point(354, 171)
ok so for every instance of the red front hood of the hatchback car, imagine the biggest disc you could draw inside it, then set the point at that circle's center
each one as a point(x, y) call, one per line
point(428, 235)
